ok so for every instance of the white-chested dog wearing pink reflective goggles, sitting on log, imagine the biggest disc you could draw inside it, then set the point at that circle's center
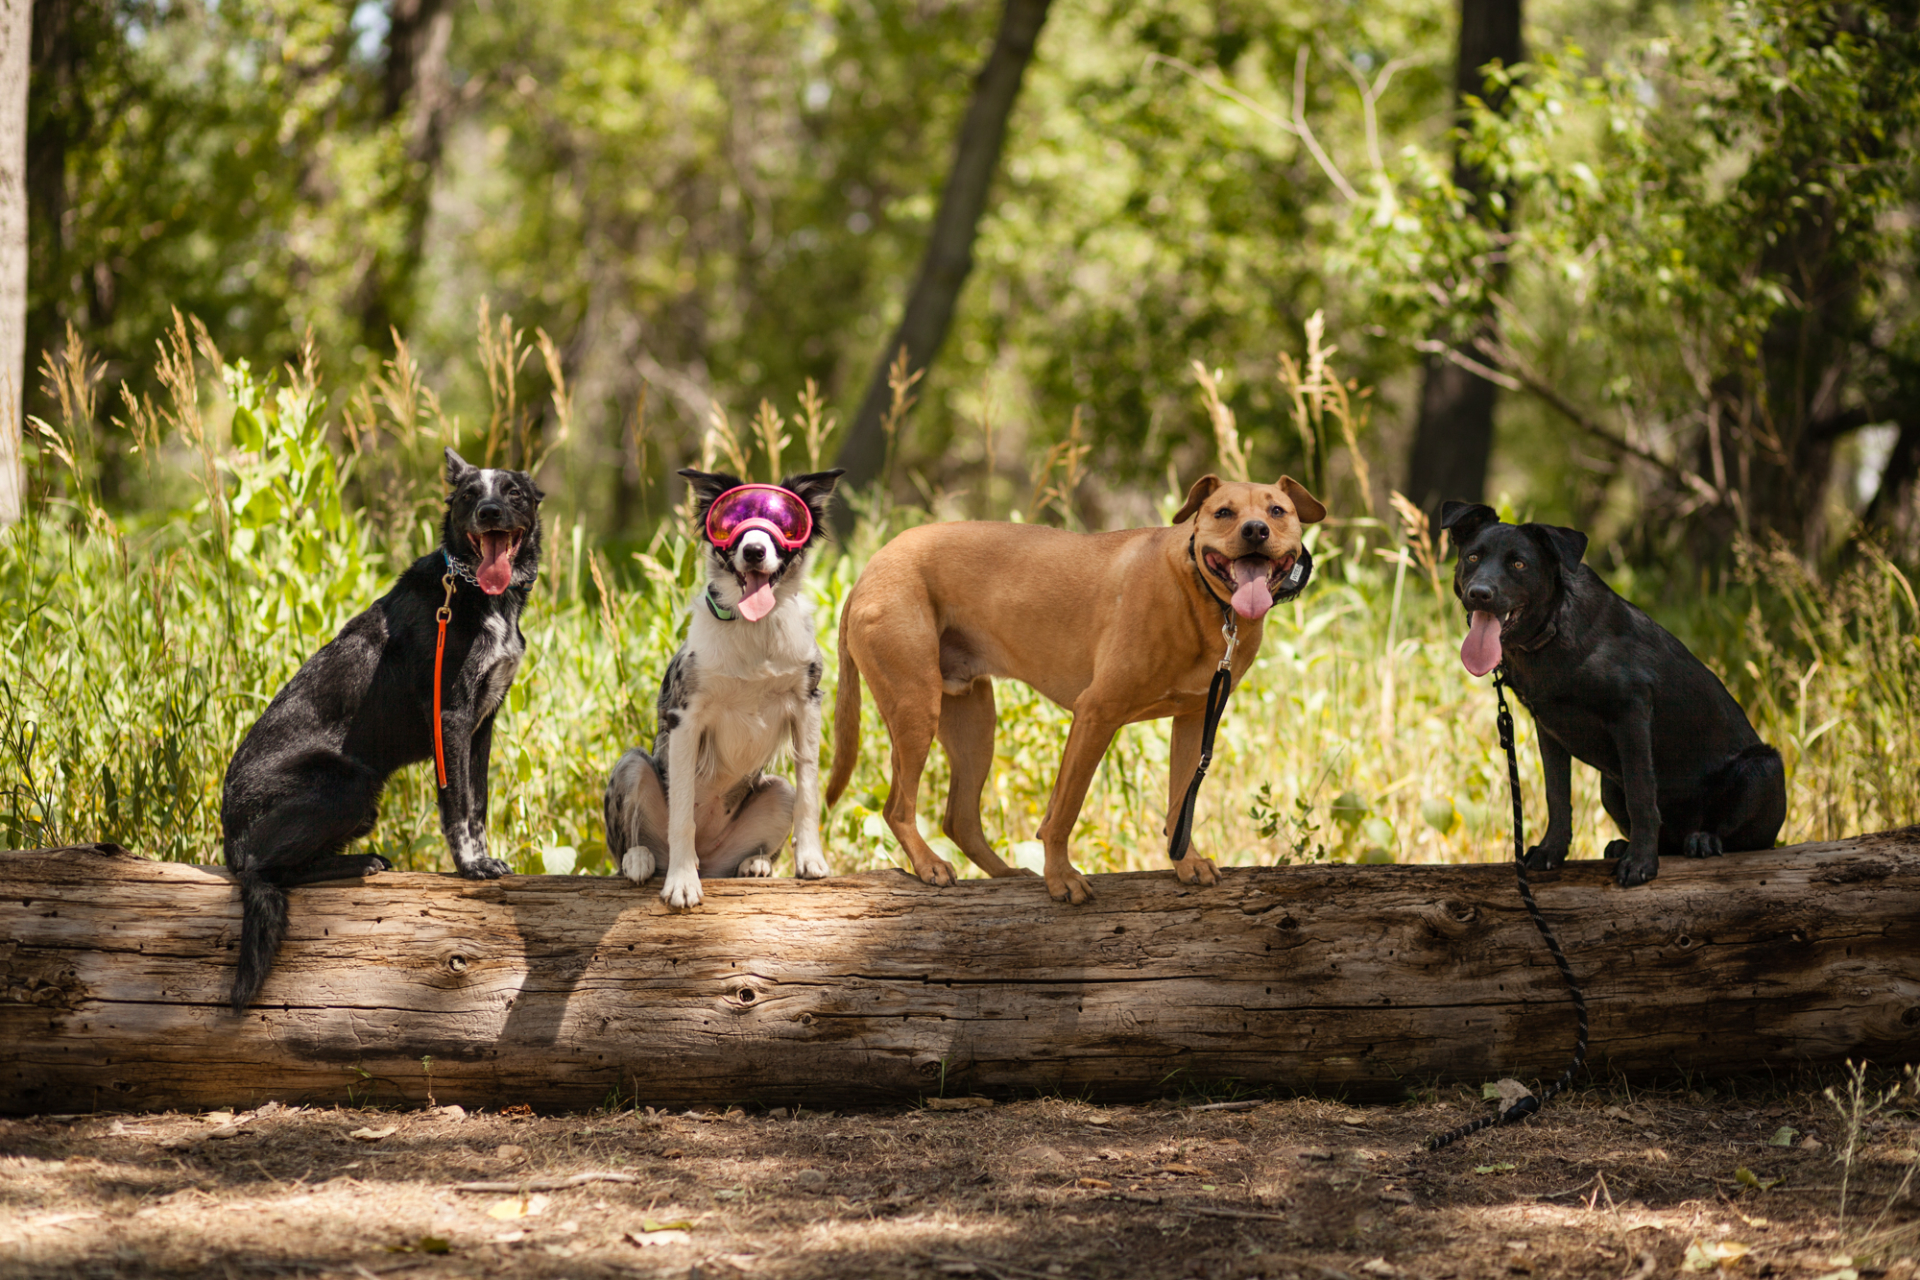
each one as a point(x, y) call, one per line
point(742, 688)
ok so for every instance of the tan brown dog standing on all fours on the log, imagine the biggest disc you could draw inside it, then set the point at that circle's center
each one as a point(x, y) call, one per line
point(1113, 627)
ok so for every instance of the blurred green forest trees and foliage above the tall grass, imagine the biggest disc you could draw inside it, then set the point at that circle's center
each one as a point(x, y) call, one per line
point(1685, 245)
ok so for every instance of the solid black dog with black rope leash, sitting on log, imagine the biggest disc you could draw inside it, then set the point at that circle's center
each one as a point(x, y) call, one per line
point(1681, 770)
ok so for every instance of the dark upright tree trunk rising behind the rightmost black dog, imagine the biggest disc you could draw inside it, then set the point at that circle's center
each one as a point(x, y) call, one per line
point(1454, 435)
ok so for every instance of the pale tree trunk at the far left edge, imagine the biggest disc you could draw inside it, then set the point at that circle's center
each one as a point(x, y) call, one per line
point(16, 37)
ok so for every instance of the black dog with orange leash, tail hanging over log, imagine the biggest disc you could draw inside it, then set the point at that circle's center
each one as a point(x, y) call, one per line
point(308, 776)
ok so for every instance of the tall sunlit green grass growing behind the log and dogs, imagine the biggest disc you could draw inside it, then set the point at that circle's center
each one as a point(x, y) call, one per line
point(141, 646)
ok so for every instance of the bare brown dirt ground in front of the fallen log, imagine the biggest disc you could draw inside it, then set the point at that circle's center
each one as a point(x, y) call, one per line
point(1608, 1183)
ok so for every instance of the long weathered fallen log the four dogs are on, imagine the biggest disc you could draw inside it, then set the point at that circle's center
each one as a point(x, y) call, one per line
point(867, 989)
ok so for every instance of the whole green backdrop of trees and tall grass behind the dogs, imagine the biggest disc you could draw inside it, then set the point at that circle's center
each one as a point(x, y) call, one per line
point(1631, 266)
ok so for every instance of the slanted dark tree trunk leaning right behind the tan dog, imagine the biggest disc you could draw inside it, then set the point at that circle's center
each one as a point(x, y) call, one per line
point(949, 258)
